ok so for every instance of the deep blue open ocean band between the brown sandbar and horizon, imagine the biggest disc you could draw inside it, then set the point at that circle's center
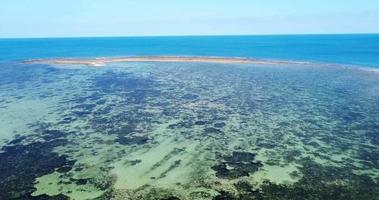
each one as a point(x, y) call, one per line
point(360, 49)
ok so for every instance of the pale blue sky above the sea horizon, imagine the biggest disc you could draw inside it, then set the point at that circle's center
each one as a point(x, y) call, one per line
point(68, 18)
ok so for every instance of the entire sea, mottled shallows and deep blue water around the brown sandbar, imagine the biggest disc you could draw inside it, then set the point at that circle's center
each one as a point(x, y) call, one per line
point(183, 131)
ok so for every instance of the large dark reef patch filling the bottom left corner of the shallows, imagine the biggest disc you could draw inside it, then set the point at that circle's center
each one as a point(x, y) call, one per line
point(22, 164)
